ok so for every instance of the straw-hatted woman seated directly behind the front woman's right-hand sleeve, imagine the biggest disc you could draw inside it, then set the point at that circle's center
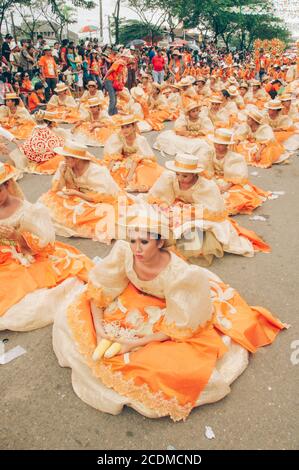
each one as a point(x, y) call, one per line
point(197, 212)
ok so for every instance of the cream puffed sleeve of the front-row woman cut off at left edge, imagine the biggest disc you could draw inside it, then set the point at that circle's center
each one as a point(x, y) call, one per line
point(36, 227)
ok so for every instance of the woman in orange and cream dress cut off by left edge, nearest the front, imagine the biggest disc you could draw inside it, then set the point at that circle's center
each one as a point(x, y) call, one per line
point(45, 275)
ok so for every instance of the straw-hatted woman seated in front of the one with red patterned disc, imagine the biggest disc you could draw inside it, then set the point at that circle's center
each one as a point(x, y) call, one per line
point(84, 199)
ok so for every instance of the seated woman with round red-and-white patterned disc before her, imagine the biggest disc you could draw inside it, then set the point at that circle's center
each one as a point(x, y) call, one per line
point(37, 154)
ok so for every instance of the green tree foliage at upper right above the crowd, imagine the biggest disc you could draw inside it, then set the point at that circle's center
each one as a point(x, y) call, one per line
point(233, 21)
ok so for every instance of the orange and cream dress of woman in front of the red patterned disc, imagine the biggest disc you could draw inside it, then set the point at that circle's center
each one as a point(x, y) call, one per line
point(75, 217)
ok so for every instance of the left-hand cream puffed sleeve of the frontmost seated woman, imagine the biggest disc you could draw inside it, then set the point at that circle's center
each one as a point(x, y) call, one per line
point(108, 279)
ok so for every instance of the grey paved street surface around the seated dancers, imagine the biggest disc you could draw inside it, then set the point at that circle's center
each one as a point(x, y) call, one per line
point(39, 409)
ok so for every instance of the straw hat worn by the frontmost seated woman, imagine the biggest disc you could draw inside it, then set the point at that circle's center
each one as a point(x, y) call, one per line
point(146, 219)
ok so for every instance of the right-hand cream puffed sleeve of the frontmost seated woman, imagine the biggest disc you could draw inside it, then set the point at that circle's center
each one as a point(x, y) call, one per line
point(188, 302)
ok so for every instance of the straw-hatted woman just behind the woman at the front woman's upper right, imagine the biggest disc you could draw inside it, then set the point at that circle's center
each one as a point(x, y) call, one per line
point(231, 174)
